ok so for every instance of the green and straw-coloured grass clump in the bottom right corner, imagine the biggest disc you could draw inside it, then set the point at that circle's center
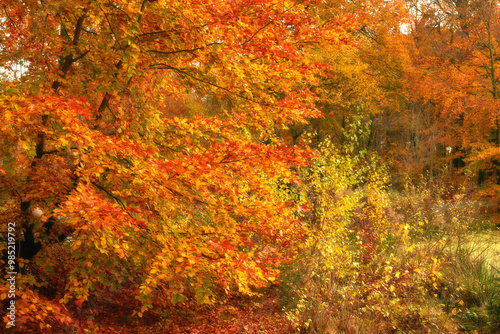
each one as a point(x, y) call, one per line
point(473, 279)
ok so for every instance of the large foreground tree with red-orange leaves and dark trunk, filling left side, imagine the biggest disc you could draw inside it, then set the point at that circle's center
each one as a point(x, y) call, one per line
point(137, 129)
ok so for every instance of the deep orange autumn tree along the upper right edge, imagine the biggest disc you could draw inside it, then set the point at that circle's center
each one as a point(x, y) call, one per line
point(454, 77)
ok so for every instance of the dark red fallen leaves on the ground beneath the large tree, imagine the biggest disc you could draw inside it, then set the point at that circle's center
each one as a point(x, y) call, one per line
point(252, 315)
